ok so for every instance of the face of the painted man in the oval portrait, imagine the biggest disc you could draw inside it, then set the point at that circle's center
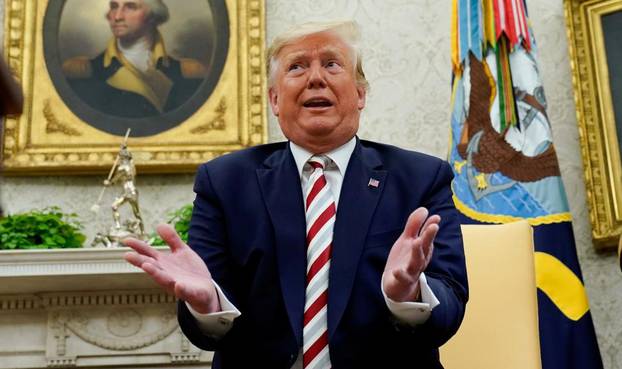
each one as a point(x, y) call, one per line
point(128, 19)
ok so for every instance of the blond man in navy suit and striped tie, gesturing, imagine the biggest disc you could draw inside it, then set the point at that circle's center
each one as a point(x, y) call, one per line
point(308, 254)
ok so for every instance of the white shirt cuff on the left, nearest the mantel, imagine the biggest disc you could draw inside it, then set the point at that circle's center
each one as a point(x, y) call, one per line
point(216, 325)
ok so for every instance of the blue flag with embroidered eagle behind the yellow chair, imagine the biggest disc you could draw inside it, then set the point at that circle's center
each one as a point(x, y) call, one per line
point(506, 168)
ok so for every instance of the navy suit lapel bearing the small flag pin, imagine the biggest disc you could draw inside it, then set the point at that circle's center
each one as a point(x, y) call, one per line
point(357, 202)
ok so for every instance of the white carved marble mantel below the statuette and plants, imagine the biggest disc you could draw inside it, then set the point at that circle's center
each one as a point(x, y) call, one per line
point(87, 308)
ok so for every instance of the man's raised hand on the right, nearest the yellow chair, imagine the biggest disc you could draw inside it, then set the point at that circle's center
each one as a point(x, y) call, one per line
point(409, 256)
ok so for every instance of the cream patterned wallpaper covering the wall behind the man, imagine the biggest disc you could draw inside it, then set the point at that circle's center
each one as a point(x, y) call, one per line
point(406, 51)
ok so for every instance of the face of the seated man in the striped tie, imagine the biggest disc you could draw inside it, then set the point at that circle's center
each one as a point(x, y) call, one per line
point(315, 95)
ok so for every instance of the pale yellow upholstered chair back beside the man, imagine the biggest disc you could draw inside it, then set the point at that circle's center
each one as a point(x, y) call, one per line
point(500, 328)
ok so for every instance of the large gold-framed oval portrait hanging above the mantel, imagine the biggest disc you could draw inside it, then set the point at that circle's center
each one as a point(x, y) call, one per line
point(194, 90)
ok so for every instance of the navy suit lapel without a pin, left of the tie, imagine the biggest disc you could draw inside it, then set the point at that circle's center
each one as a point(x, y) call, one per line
point(280, 185)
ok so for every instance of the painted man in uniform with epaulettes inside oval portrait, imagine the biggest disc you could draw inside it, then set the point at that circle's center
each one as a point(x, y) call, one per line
point(134, 77)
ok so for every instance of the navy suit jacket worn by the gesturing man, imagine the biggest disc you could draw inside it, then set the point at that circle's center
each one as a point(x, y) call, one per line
point(248, 225)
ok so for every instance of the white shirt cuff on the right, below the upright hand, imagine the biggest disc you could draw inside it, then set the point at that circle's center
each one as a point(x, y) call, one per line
point(413, 313)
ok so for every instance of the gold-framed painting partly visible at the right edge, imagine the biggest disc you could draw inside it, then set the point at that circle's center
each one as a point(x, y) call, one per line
point(594, 32)
